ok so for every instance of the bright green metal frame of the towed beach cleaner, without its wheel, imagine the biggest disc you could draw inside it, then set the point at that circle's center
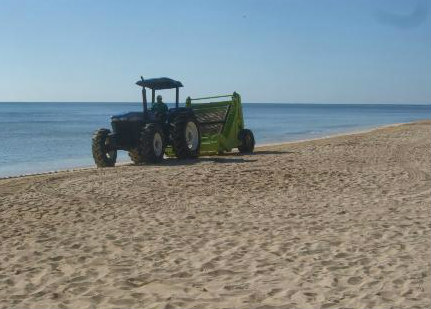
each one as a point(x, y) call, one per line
point(227, 138)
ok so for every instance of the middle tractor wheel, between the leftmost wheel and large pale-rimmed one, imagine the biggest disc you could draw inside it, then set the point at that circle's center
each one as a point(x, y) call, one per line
point(151, 145)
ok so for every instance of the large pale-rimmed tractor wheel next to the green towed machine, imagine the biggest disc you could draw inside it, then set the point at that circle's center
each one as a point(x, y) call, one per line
point(186, 137)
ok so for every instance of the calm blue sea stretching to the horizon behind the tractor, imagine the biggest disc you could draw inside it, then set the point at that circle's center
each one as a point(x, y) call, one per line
point(40, 137)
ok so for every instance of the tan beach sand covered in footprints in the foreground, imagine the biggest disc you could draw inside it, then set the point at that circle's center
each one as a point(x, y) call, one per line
point(329, 223)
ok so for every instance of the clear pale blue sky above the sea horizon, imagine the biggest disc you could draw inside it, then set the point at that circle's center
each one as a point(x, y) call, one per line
point(290, 51)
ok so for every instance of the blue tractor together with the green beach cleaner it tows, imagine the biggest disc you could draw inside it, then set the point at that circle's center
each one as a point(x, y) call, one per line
point(203, 128)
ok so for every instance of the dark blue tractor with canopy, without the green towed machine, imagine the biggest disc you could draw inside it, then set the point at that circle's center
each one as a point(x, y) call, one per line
point(146, 134)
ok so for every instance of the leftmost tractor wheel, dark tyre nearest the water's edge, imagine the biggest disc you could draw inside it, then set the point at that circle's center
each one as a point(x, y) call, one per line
point(103, 156)
